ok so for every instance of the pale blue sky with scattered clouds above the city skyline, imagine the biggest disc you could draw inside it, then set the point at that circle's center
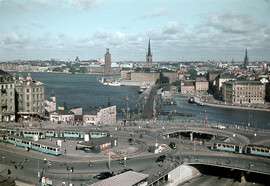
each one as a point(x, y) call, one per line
point(179, 30)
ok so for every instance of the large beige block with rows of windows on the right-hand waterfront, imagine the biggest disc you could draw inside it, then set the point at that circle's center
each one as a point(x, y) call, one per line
point(243, 92)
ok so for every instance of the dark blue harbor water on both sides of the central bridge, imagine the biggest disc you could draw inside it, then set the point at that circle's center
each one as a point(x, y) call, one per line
point(83, 90)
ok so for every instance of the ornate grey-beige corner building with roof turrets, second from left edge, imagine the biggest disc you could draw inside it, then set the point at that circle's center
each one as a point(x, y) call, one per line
point(29, 96)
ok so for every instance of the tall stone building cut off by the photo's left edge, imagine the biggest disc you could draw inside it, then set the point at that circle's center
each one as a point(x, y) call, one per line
point(7, 97)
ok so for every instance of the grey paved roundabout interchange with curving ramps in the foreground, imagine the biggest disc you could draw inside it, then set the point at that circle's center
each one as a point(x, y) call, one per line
point(132, 152)
